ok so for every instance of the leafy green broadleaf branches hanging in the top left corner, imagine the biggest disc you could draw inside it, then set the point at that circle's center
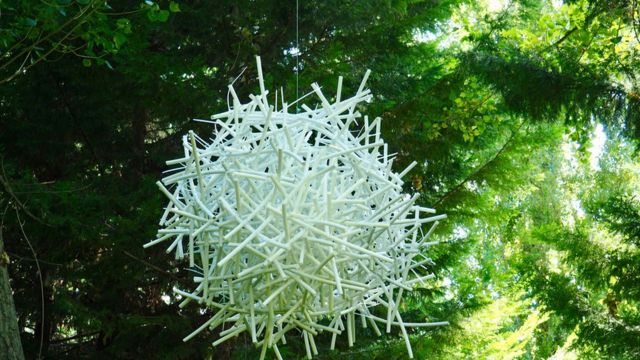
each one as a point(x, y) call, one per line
point(42, 31)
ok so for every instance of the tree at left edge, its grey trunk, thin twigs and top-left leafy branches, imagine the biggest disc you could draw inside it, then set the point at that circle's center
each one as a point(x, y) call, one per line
point(33, 33)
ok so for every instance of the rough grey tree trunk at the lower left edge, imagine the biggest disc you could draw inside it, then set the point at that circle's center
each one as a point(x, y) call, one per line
point(10, 346)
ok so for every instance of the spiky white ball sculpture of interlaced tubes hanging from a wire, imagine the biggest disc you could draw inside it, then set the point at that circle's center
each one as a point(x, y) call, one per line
point(294, 222)
